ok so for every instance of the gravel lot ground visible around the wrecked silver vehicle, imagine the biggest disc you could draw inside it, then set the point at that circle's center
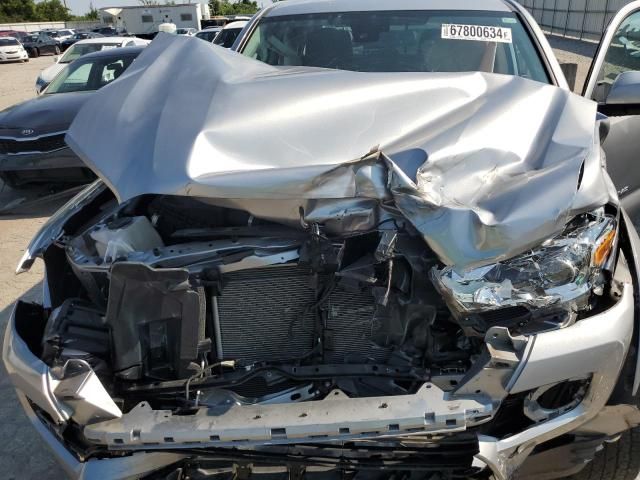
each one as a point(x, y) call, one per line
point(24, 455)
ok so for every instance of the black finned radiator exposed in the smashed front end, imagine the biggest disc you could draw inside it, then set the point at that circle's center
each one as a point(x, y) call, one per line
point(262, 318)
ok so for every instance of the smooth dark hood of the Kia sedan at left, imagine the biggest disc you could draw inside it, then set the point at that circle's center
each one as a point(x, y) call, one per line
point(43, 114)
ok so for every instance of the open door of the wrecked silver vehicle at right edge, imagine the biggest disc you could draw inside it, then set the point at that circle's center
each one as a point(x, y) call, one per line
point(614, 82)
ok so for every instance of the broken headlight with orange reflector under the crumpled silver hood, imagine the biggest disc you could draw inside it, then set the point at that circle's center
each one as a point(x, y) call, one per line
point(564, 270)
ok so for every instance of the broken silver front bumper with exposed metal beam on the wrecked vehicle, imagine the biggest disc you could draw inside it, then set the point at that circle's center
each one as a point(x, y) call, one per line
point(594, 347)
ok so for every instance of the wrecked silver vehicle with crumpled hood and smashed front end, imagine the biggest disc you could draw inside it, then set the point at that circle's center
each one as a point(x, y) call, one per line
point(418, 265)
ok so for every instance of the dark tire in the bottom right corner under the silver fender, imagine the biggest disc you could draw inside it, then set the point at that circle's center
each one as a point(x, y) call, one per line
point(616, 461)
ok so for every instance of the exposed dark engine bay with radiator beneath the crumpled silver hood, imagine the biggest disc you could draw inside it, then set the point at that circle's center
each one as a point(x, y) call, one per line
point(173, 289)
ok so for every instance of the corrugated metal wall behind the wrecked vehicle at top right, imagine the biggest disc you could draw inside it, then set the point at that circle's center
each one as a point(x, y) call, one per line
point(583, 19)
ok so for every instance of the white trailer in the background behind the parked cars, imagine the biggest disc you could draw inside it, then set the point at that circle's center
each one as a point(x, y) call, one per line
point(144, 20)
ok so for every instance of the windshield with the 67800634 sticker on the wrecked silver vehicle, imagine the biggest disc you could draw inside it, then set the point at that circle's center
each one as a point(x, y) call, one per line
point(399, 41)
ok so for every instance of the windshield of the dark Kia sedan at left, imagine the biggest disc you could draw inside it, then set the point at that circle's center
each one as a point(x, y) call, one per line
point(89, 74)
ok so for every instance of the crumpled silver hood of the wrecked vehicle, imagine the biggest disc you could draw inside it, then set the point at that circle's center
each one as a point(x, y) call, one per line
point(484, 166)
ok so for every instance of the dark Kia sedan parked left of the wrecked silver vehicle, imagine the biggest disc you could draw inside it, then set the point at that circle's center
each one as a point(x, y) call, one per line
point(32, 145)
